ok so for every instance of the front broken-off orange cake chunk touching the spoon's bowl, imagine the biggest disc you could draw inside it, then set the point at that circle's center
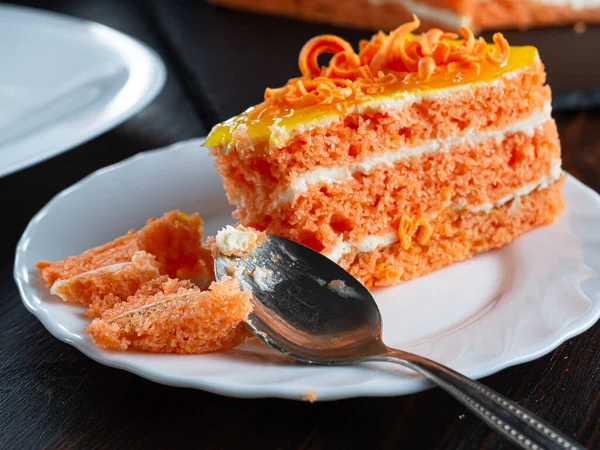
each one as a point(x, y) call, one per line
point(175, 316)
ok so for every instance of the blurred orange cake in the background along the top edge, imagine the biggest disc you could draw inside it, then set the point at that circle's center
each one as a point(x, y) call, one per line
point(450, 14)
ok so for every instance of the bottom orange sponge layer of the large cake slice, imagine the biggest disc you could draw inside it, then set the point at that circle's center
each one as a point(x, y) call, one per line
point(453, 237)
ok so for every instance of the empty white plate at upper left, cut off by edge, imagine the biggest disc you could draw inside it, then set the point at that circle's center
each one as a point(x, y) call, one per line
point(65, 81)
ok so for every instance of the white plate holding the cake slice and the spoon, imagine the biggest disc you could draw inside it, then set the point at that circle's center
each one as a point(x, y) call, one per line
point(496, 310)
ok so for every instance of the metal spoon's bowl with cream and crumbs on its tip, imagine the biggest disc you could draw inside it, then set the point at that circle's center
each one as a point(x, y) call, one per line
point(309, 308)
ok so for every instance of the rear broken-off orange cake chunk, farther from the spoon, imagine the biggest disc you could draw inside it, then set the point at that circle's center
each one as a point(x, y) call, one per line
point(168, 245)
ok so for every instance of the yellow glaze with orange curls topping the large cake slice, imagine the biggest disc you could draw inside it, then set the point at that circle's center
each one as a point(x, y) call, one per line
point(387, 66)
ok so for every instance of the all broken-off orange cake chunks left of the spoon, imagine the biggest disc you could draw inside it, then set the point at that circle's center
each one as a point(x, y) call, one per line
point(153, 290)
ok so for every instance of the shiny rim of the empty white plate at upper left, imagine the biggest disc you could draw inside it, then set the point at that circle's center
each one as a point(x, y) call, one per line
point(154, 88)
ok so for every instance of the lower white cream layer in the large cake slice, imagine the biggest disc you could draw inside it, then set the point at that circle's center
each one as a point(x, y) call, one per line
point(373, 242)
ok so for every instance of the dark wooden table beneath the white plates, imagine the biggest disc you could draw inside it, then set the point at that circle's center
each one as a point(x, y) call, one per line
point(51, 396)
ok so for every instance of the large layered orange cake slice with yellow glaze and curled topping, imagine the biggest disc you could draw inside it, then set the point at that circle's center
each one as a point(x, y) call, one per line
point(415, 152)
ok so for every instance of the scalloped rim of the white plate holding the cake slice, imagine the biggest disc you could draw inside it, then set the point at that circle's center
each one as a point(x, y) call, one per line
point(574, 328)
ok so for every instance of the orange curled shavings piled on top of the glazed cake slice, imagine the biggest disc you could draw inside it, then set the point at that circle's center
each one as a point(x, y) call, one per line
point(383, 60)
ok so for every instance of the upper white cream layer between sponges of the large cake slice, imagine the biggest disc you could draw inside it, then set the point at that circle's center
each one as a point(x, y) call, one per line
point(341, 173)
